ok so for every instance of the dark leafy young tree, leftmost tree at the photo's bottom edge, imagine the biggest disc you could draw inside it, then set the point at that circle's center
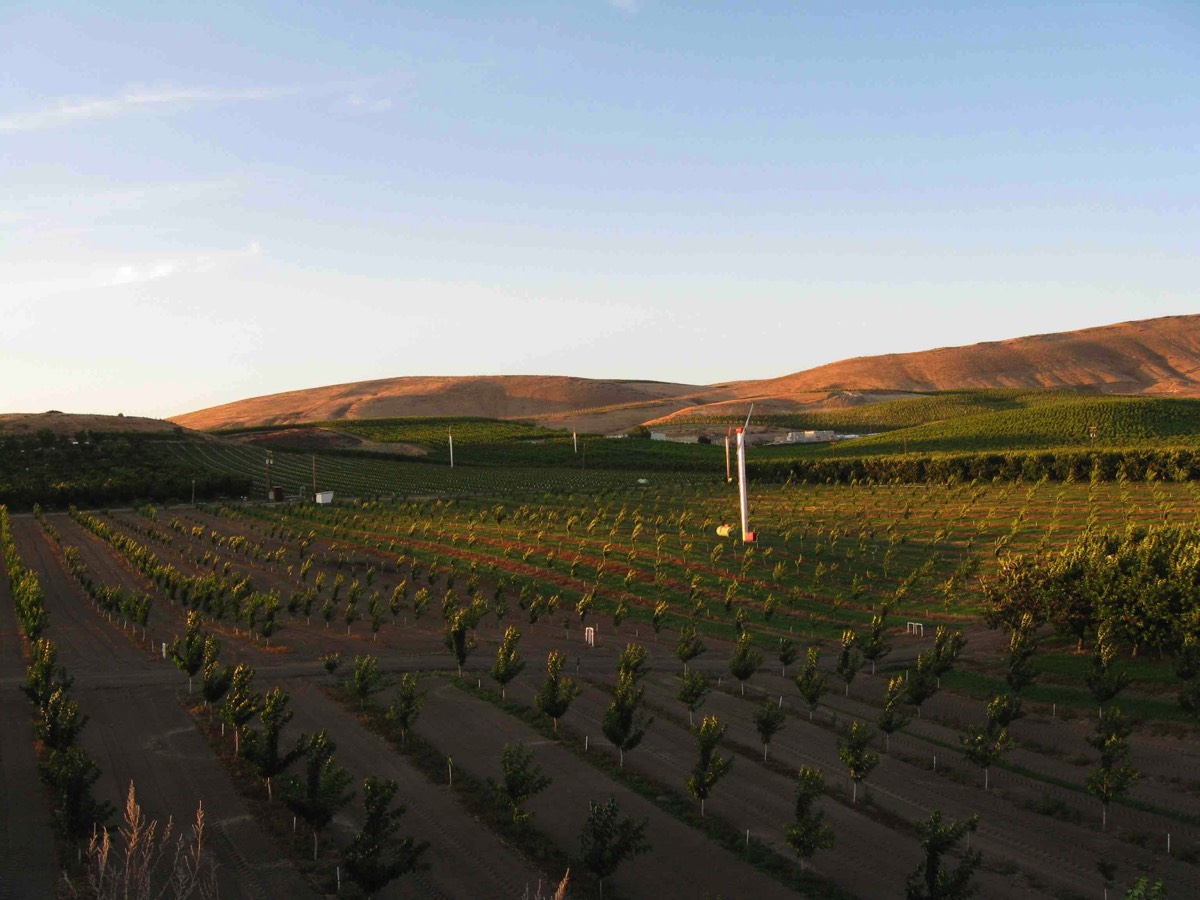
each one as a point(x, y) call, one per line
point(379, 856)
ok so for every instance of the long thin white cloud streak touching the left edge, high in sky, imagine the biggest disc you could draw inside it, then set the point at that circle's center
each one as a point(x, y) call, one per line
point(64, 113)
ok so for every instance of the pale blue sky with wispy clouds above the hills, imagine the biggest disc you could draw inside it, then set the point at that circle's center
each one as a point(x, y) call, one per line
point(208, 202)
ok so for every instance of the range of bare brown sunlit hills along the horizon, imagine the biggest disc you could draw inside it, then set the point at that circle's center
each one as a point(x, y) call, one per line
point(1149, 357)
